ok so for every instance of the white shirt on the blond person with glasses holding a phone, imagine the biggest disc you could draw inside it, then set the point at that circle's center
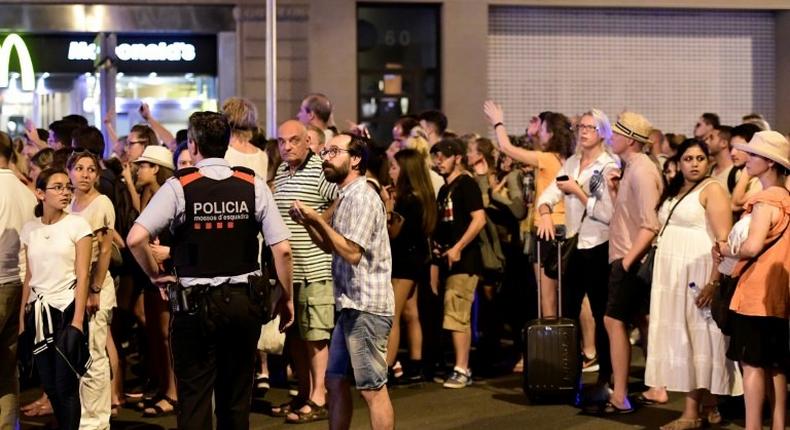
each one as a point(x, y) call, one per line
point(594, 230)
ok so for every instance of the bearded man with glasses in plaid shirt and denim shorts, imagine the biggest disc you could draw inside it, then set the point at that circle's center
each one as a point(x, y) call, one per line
point(361, 269)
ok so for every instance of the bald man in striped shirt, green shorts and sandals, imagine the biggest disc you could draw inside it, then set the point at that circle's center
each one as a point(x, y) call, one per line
point(301, 177)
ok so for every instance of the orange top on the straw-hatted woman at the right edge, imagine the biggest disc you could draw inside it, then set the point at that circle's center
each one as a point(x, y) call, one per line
point(764, 289)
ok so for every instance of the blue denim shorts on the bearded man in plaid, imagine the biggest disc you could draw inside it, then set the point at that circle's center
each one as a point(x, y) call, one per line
point(358, 348)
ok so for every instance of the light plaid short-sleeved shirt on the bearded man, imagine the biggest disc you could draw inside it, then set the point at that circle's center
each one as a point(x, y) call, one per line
point(360, 217)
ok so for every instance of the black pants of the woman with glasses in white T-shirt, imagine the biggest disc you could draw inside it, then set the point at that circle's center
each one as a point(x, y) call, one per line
point(60, 382)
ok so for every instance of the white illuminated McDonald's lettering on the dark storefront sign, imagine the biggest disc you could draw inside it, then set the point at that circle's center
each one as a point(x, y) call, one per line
point(162, 51)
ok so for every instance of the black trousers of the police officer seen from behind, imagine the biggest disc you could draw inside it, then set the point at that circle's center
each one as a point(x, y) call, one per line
point(214, 353)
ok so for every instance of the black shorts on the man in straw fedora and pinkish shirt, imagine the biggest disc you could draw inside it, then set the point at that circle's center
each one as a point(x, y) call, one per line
point(628, 296)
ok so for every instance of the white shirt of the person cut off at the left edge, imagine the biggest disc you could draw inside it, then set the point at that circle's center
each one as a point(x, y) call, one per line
point(17, 203)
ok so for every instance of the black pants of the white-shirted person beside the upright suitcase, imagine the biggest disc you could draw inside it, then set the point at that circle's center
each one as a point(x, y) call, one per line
point(588, 273)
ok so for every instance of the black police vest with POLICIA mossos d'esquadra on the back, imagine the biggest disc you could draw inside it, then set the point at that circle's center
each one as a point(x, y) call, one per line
point(219, 236)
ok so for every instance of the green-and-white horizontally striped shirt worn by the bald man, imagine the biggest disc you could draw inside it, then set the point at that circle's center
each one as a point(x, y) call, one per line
point(308, 185)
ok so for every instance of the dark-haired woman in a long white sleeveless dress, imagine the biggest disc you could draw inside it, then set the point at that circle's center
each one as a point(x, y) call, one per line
point(686, 352)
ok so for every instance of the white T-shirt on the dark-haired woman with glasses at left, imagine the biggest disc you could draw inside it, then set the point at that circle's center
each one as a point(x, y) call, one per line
point(51, 252)
